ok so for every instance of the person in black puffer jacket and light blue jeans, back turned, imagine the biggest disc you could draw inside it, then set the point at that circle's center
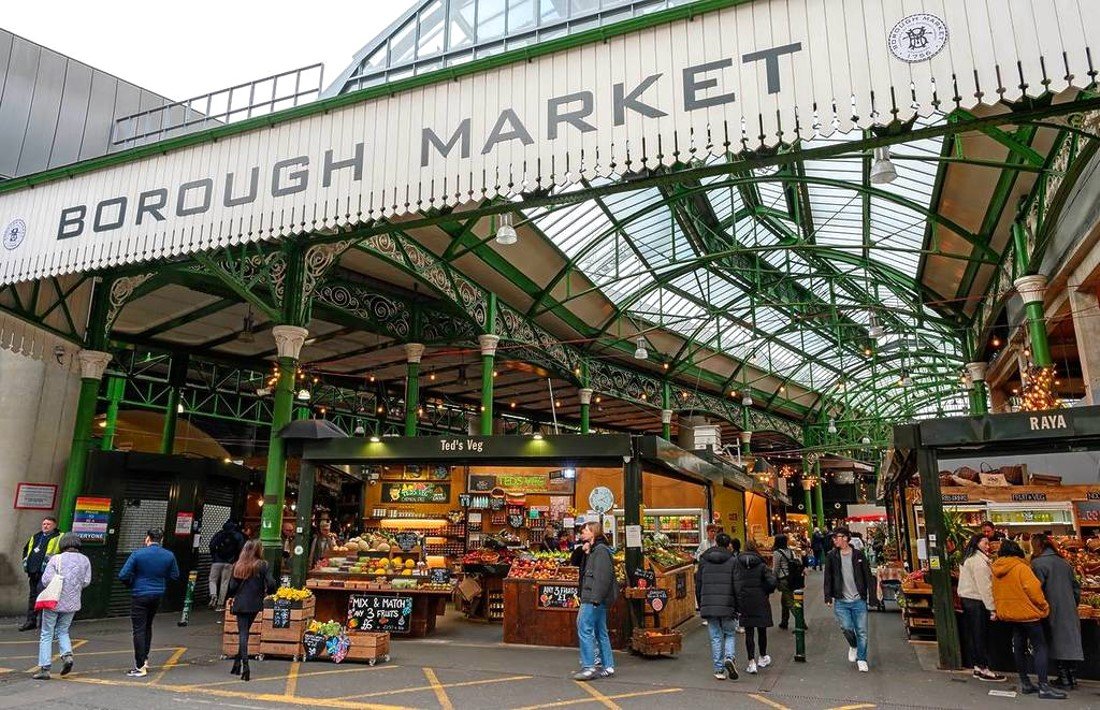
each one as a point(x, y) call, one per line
point(718, 605)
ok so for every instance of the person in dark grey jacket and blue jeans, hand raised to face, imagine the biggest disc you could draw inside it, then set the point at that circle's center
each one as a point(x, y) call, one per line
point(599, 593)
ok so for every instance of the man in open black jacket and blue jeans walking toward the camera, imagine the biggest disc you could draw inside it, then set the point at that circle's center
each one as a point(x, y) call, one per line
point(848, 583)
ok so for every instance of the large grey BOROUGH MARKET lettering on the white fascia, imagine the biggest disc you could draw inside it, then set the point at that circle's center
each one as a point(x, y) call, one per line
point(701, 90)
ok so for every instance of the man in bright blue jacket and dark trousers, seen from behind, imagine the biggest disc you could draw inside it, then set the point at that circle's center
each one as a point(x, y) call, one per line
point(147, 574)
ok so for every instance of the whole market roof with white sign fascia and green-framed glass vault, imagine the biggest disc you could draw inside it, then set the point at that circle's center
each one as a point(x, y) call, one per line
point(694, 180)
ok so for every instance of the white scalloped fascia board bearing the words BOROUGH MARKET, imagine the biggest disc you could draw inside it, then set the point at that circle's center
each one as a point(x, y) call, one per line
point(745, 77)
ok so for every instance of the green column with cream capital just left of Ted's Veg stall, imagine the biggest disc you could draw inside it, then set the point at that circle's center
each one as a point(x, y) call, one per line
point(290, 341)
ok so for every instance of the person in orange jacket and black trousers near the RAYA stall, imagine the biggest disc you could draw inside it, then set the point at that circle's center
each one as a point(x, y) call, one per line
point(1019, 600)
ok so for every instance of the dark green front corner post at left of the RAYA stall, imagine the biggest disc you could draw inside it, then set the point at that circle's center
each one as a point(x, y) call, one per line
point(940, 569)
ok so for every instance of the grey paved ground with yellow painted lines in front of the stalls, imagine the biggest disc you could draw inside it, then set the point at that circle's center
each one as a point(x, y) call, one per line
point(465, 667)
